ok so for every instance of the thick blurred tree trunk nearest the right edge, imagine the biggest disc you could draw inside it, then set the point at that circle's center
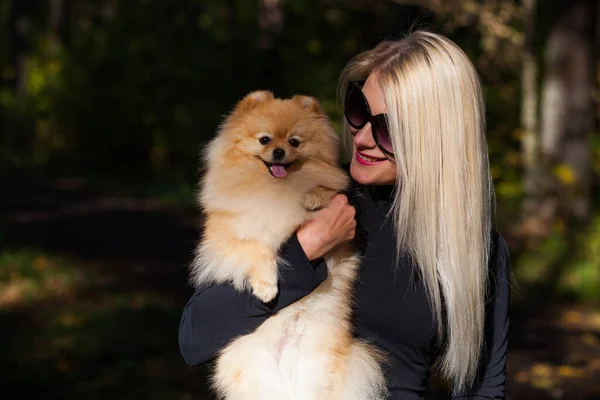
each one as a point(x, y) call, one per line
point(568, 115)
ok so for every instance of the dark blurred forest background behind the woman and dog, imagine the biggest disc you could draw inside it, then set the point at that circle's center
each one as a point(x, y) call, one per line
point(104, 105)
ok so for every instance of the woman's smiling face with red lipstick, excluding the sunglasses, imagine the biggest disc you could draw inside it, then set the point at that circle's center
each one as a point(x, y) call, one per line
point(369, 165)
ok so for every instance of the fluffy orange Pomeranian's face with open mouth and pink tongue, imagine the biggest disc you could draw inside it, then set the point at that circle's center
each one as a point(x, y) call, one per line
point(279, 135)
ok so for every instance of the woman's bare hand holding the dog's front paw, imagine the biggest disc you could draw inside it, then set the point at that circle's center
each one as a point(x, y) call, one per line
point(331, 226)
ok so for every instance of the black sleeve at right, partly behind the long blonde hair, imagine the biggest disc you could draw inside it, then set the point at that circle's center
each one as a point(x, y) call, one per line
point(492, 372)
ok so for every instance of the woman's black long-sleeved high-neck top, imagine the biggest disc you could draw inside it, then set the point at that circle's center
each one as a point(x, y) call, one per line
point(391, 308)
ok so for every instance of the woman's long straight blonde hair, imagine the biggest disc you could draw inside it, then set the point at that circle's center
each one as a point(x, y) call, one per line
point(443, 202)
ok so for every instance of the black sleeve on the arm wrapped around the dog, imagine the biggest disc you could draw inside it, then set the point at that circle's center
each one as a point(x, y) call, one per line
point(217, 314)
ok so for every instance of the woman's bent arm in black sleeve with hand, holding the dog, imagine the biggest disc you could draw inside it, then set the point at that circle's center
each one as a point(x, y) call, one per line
point(215, 315)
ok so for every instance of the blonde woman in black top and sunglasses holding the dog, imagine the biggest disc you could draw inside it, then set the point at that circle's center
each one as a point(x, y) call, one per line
point(433, 290)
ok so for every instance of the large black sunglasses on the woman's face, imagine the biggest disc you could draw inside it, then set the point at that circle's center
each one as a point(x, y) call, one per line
point(358, 114)
